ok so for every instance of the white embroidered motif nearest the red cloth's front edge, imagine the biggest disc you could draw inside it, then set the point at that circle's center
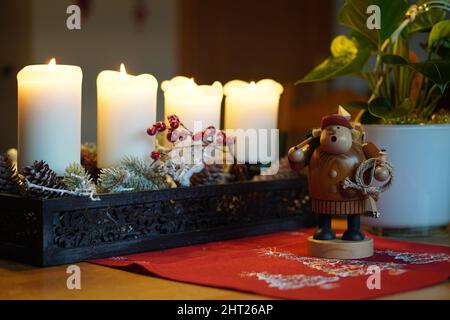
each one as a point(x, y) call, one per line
point(293, 281)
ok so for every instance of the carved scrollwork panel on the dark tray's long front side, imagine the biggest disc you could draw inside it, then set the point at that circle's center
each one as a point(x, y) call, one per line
point(93, 226)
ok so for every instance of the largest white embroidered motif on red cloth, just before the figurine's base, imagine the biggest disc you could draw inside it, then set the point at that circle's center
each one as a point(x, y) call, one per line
point(337, 267)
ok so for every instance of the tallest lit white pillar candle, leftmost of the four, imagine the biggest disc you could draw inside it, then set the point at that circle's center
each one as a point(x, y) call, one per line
point(49, 115)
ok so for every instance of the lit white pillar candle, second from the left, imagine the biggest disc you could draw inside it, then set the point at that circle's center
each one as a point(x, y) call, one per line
point(126, 106)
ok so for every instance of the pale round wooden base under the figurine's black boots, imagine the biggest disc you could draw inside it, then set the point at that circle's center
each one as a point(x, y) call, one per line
point(340, 249)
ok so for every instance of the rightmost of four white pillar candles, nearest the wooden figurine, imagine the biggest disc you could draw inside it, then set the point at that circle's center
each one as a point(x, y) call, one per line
point(252, 106)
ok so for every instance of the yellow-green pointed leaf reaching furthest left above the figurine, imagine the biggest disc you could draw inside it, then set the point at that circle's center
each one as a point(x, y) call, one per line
point(345, 59)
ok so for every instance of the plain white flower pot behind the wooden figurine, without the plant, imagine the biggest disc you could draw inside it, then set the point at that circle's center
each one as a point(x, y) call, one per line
point(419, 199)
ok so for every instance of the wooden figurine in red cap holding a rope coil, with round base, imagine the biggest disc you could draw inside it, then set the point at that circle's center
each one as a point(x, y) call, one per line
point(341, 168)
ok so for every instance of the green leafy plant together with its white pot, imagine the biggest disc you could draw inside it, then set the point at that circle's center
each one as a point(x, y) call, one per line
point(406, 112)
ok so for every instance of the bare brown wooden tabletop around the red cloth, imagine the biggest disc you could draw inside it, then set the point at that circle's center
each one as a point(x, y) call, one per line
point(19, 281)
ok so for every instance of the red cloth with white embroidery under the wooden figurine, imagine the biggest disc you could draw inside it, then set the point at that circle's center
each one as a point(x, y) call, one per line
point(276, 265)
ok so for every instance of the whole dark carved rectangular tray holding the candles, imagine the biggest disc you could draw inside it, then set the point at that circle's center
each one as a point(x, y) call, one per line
point(71, 229)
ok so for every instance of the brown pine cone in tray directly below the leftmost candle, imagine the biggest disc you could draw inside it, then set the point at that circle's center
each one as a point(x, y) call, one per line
point(39, 173)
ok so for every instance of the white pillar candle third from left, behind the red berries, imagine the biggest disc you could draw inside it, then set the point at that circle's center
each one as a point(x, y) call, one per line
point(192, 102)
